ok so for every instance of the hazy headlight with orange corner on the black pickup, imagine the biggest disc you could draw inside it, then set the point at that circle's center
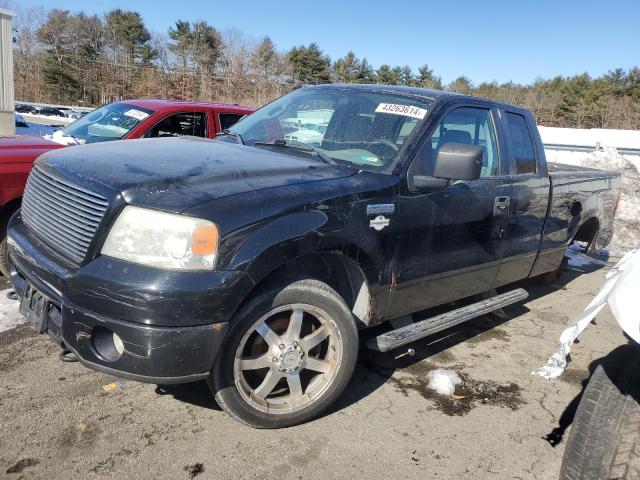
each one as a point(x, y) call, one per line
point(163, 240)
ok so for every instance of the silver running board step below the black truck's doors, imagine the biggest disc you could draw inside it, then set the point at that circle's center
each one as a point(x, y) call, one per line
point(424, 328)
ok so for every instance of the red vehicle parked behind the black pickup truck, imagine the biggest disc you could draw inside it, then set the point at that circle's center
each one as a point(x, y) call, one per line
point(124, 120)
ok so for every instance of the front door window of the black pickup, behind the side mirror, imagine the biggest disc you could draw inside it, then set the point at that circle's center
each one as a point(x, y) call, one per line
point(471, 126)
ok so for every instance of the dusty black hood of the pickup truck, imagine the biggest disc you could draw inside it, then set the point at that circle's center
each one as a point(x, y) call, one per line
point(175, 174)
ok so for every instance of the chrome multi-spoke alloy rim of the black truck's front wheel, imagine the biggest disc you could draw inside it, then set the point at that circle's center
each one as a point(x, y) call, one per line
point(288, 358)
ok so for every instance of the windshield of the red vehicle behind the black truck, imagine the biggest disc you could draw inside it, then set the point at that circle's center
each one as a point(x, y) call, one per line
point(111, 122)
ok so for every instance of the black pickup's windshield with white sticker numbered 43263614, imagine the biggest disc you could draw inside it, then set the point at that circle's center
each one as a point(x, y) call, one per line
point(361, 127)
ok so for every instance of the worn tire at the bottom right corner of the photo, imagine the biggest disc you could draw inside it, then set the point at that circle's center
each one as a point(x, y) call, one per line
point(604, 441)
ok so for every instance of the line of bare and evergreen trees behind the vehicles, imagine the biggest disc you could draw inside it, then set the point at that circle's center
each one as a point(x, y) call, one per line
point(65, 57)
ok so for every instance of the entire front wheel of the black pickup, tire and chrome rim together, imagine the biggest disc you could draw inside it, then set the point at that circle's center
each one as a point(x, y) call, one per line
point(311, 357)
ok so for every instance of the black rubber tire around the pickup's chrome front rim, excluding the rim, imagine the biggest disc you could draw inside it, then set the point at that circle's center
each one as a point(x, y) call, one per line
point(311, 292)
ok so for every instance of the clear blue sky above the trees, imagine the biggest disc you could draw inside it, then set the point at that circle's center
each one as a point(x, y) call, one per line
point(516, 40)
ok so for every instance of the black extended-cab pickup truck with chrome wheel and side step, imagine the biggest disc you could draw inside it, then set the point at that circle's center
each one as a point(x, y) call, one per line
point(255, 260)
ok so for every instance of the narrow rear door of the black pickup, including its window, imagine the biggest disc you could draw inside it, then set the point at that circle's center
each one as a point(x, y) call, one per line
point(529, 198)
